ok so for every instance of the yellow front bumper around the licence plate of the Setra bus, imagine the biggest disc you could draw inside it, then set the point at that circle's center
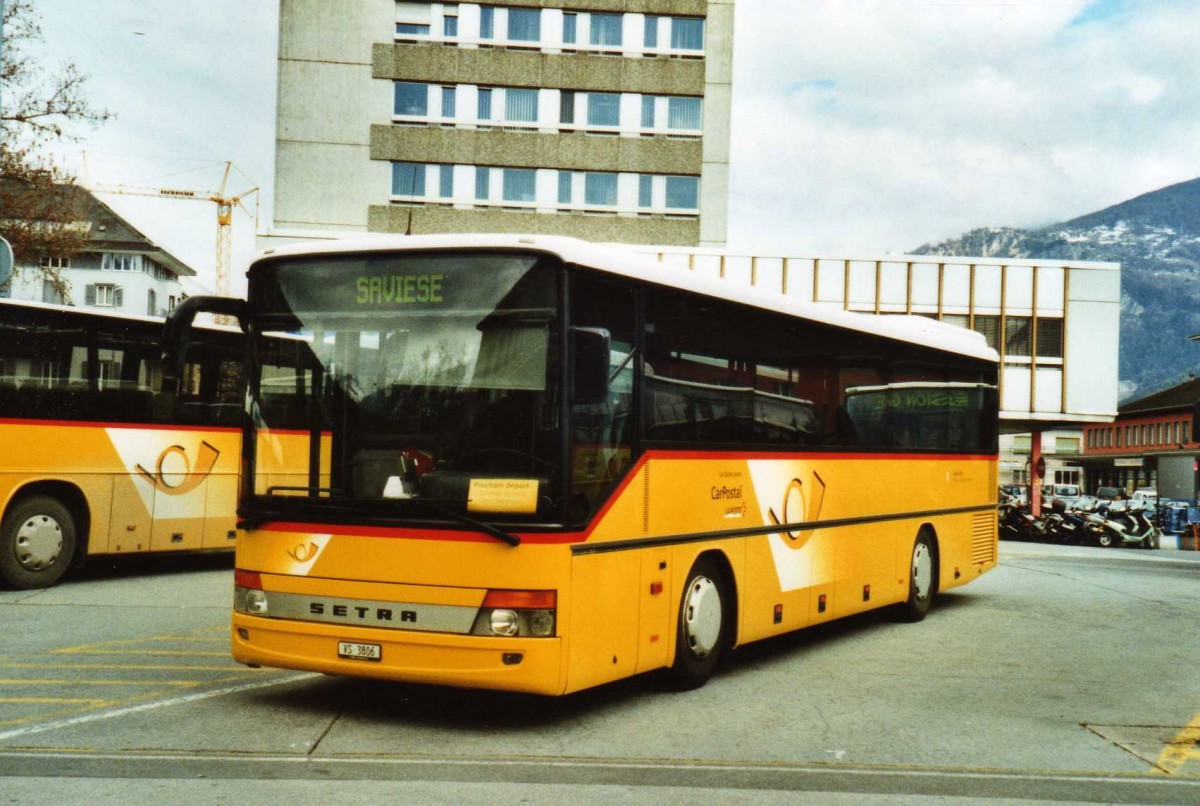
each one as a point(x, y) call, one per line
point(527, 665)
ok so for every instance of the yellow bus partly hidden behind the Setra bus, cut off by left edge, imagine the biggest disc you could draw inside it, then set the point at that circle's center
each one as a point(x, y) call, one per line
point(93, 460)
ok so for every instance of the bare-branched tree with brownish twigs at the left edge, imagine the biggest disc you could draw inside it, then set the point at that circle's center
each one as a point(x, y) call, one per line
point(41, 212)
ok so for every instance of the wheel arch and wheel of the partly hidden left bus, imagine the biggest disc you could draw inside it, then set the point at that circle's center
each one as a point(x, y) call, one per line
point(43, 533)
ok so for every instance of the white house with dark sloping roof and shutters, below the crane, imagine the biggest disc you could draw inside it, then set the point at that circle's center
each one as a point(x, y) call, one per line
point(119, 269)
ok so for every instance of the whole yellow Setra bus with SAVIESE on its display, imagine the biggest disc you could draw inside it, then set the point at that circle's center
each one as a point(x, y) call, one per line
point(538, 465)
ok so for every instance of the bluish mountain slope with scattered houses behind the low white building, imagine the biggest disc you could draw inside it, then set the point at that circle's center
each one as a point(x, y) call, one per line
point(1156, 239)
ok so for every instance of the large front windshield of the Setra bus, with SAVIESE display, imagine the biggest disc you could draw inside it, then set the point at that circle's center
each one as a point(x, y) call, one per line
point(411, 383)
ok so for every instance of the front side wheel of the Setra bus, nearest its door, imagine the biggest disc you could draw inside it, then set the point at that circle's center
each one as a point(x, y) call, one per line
point(704, 628)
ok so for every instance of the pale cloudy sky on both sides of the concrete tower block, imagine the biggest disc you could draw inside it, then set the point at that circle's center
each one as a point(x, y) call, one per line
point(860, 127)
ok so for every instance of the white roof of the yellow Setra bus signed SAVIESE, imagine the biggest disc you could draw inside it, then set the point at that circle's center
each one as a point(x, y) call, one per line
point(623, 261)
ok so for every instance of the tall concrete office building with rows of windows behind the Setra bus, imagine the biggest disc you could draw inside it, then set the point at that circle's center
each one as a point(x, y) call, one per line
point(603, 119)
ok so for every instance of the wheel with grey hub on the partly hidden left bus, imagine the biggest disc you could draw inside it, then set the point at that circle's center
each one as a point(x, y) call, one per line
point(38, 540)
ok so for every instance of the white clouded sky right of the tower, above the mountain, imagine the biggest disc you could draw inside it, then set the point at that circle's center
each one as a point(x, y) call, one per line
point(875, 127)
